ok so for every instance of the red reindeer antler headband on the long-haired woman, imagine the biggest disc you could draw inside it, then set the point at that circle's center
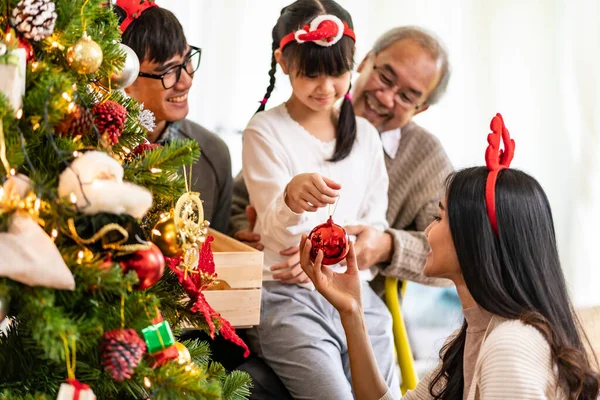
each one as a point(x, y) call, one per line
point(496, 160)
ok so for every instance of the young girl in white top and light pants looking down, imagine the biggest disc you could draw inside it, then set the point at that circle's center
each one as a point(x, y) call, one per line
point(302, 161)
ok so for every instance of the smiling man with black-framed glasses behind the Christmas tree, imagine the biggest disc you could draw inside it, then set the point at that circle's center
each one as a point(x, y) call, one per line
point(167, 68)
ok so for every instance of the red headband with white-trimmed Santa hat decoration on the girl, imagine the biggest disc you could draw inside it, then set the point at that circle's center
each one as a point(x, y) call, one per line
point(324, 30)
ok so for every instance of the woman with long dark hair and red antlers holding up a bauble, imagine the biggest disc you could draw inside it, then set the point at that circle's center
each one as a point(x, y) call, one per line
point(494, 237)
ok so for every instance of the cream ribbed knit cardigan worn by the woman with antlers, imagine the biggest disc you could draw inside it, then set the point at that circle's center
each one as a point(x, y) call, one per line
point(514, 362)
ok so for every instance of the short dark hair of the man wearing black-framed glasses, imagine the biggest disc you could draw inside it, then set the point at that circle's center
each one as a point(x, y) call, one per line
point(156, 35)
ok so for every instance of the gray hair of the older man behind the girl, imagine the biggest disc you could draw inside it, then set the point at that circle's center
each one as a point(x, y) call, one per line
point(429, 42)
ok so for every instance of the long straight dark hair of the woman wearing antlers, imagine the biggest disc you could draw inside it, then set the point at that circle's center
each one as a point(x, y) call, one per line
point(515, 275)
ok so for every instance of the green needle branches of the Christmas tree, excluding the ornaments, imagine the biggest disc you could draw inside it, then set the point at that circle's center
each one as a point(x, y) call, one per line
point(32, 351)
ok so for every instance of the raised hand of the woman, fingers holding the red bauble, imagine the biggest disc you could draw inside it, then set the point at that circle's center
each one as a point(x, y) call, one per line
point(341, 290)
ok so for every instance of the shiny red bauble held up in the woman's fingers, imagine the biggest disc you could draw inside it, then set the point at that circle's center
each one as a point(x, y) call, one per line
point(332, 239)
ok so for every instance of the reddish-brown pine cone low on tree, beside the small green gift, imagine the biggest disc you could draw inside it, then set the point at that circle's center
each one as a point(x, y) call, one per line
point(122, 351)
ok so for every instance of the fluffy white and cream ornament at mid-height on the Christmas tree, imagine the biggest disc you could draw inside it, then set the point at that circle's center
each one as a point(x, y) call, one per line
point(94, 183)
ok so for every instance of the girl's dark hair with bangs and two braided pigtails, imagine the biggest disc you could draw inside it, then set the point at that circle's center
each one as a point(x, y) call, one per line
point(310, 59)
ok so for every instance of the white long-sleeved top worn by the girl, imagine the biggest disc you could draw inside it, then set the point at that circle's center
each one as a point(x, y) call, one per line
point(276, 148)
